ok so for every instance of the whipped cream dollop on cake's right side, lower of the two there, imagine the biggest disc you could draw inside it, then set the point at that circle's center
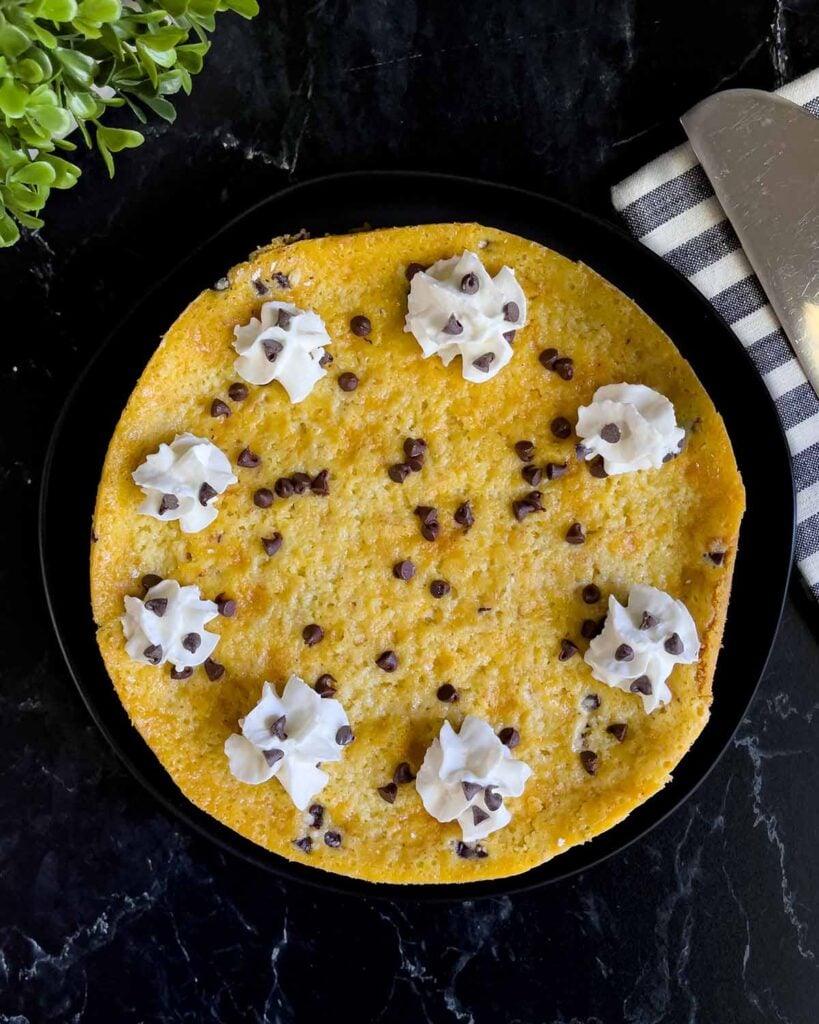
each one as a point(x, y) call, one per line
point(660, 632)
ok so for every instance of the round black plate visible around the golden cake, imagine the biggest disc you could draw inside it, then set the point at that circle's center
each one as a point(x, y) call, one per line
point(335, 205)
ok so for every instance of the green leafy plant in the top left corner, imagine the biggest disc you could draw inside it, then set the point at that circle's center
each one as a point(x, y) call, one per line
point(65, 64)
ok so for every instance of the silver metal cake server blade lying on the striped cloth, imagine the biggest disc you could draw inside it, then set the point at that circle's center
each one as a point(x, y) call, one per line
point(761, 153)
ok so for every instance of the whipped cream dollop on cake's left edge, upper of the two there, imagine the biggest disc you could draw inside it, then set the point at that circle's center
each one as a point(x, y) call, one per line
point(183, 481)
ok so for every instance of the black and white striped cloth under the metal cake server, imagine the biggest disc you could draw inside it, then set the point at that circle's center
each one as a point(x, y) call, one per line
point(670, 206)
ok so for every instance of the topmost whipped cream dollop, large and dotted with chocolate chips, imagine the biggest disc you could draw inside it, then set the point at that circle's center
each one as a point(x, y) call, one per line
point(449, 317)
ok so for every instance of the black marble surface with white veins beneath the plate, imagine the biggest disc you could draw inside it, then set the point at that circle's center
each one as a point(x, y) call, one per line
point(109, 910)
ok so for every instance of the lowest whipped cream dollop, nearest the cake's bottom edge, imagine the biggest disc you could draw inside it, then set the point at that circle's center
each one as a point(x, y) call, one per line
point(458, 771)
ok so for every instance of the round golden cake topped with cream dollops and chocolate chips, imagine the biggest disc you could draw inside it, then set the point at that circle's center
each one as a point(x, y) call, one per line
point(412, 553)
